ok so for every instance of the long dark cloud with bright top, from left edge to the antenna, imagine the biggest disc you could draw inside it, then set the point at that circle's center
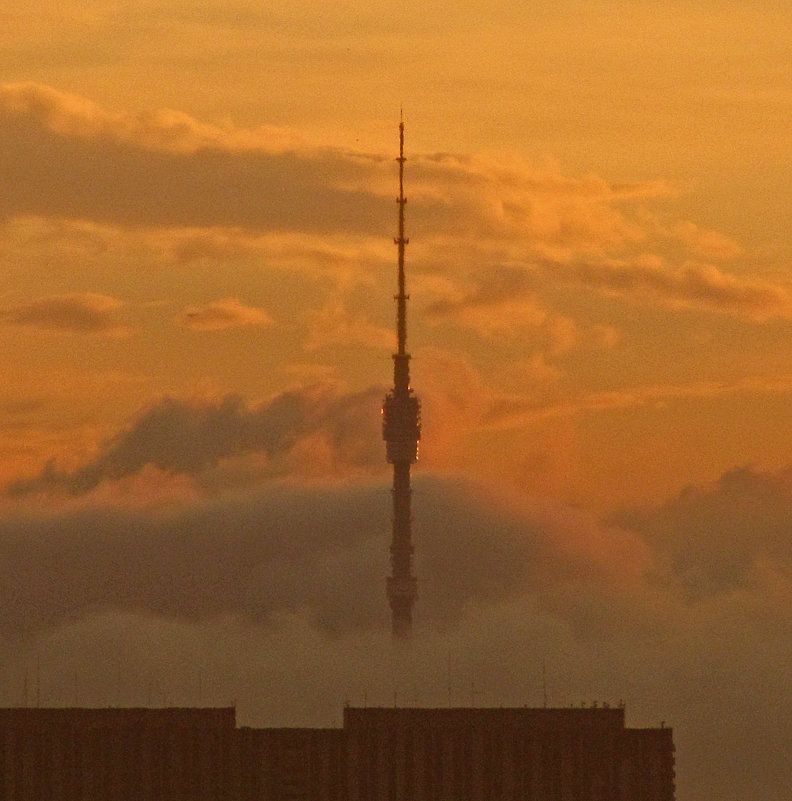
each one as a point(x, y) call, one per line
point(93, 172)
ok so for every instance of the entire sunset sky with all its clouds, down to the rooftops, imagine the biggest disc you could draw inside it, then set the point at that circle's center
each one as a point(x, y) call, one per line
point(196, 320)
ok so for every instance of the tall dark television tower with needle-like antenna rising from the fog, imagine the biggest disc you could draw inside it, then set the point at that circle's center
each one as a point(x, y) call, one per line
point(401, 430)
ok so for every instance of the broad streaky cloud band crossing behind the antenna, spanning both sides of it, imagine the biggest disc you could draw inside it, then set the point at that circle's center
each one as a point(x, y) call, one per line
point(161, 188)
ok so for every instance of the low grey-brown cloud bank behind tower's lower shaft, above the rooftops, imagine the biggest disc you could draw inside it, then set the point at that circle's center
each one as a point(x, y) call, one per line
point(275, 597)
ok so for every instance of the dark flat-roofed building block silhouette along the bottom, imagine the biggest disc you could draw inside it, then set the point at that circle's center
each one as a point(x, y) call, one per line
point(398, 754)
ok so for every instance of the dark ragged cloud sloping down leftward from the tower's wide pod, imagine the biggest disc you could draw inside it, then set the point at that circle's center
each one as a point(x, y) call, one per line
point(177, 436)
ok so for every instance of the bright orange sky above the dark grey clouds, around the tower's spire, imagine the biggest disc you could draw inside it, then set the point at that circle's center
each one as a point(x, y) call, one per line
point(601, 244)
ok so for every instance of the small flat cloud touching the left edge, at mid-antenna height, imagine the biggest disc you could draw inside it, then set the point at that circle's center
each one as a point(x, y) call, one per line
point(83, 313)
